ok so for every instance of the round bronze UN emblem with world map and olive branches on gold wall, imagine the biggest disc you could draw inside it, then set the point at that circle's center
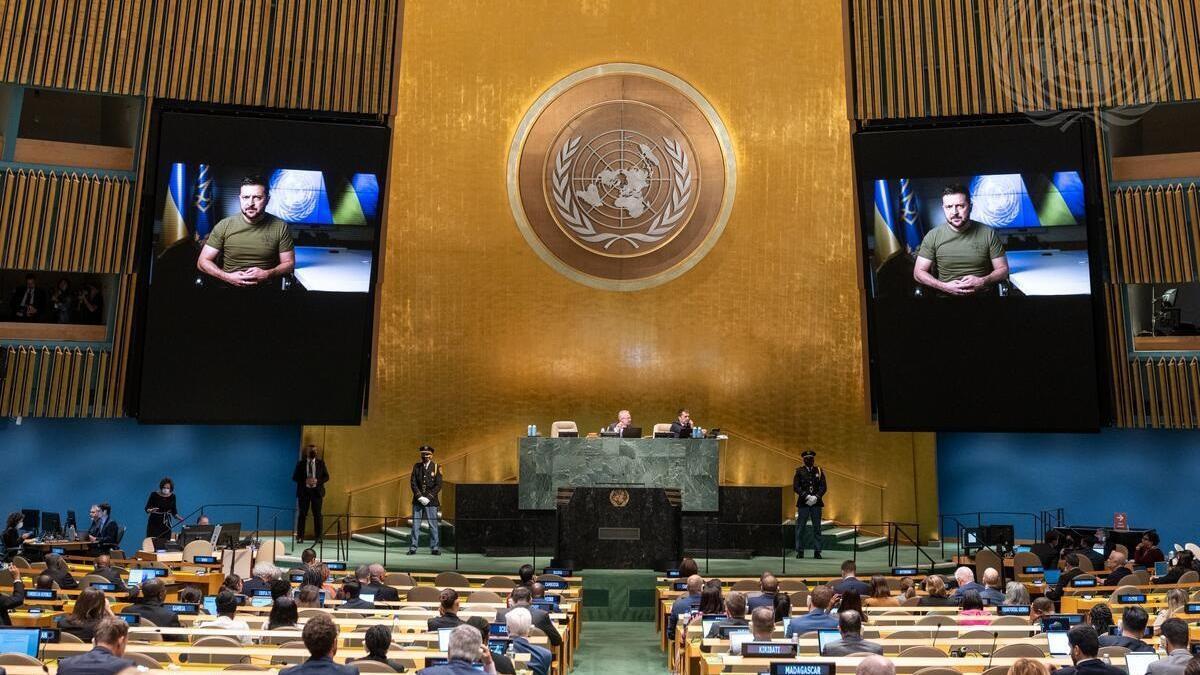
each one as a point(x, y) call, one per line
point(622, 177)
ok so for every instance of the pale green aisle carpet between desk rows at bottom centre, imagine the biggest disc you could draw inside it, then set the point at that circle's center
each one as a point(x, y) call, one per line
point(617, 648)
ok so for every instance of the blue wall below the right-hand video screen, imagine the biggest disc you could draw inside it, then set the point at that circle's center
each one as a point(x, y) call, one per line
point(1149, 475)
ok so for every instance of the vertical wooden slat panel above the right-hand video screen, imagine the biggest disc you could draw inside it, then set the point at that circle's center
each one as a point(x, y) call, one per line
point(981, 57)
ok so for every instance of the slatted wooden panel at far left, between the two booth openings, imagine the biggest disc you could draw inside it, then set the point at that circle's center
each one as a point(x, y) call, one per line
point(61, 222)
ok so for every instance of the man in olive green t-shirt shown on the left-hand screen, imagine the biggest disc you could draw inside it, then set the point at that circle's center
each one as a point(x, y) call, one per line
point(255, 247)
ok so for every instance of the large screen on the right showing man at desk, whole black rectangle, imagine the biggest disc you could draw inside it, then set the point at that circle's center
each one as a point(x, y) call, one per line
point(979, 267)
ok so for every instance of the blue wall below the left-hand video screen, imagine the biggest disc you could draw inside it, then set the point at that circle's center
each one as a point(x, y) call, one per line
point(59, 465)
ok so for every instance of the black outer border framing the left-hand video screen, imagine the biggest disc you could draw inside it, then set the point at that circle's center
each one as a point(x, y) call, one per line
point(374, 154)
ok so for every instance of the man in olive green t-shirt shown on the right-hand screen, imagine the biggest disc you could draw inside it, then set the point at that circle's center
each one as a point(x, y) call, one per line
point(969, 255)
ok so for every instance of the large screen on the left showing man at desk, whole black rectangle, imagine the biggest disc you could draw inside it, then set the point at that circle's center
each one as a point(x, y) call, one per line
point(260, 258)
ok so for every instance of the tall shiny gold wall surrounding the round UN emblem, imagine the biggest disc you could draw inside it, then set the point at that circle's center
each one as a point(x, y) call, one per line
point(478, 338)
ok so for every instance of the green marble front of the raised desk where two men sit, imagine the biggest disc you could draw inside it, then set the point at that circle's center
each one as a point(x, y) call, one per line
point(548, 464)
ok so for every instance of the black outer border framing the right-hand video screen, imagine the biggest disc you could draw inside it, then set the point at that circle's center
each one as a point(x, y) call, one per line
point(974, 147)
